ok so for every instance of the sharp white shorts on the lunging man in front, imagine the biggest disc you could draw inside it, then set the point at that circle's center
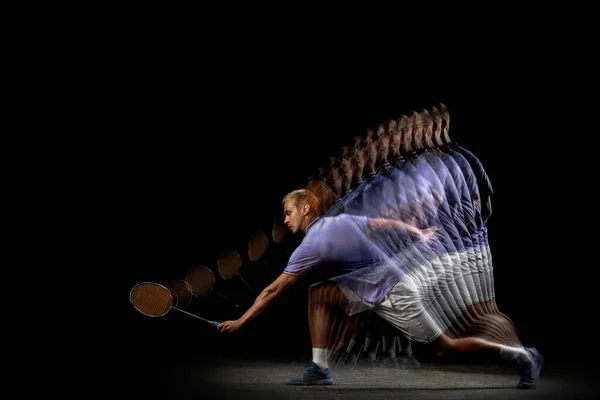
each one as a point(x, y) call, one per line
point(403, 308)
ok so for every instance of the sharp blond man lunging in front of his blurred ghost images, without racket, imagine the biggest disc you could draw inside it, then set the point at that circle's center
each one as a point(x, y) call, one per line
point(359, 274)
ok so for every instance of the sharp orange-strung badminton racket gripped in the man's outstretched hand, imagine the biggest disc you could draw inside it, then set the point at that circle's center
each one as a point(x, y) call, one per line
point(155, 300)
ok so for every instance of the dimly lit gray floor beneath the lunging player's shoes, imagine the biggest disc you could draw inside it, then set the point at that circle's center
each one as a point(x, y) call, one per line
point(260, 379)
